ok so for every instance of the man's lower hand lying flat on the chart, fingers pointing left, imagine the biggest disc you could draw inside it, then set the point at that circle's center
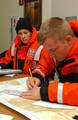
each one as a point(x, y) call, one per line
point(33, 94)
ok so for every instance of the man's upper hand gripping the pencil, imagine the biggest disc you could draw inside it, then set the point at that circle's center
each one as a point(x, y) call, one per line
point(32, 82)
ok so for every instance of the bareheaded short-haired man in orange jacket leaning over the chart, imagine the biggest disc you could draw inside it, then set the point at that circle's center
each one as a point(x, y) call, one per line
point(61, 43)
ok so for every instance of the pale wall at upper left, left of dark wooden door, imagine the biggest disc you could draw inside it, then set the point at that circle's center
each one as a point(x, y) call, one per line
point(8, 8)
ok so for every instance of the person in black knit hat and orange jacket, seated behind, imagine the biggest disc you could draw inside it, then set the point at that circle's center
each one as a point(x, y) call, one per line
point(25, 52)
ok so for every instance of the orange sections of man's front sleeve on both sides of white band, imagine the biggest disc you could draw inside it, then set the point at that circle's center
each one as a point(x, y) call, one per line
point(69, 93)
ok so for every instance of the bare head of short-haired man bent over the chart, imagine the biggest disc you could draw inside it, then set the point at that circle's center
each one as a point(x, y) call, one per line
point(57, 37)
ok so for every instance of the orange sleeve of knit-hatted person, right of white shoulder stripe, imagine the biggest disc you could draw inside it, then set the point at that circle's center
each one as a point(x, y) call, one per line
point(46, 63)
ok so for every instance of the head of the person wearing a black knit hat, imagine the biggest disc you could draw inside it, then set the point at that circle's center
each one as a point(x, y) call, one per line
point(24, 29)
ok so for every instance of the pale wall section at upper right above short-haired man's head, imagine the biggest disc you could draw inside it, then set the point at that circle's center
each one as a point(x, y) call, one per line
point(63, 8)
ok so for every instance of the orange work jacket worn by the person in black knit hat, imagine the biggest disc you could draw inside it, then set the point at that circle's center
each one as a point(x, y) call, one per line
point(25, 56)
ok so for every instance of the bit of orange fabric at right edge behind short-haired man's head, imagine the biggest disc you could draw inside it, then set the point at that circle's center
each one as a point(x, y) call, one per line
point(74, 26)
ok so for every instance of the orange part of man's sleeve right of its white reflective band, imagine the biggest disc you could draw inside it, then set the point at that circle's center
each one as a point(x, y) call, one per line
point(70, 93)
